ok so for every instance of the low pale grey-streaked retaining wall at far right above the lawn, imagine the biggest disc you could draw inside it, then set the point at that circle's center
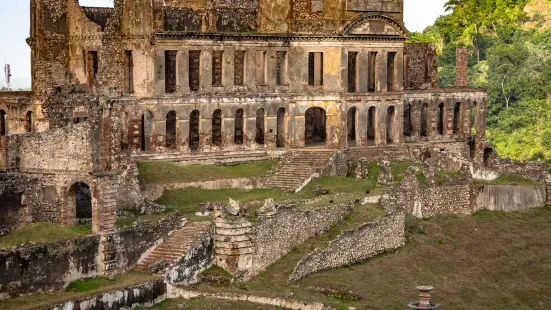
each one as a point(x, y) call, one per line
point(509, 197)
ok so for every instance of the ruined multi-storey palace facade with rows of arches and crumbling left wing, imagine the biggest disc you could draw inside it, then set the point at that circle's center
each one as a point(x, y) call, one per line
point(175, 79)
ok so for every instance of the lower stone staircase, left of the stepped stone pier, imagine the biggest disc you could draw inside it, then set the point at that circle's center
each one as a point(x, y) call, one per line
point(176, 245)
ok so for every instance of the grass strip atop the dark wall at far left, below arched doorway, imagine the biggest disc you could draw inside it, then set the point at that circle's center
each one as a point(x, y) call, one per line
point(43, 233)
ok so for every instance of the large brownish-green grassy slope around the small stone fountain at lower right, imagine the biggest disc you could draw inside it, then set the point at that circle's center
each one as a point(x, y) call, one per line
point(490, 260)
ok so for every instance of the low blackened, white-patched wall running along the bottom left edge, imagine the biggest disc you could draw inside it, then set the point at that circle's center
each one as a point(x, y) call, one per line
point(141, 295)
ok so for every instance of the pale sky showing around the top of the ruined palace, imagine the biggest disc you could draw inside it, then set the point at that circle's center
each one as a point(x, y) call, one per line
point(14, 25)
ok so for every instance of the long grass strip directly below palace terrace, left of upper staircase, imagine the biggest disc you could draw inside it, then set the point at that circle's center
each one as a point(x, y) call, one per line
point(158, 172)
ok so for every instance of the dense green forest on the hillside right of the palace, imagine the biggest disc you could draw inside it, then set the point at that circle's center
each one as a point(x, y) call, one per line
point(509, 43)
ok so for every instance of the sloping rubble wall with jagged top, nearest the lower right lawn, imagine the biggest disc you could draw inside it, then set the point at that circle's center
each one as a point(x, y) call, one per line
point(385, 234)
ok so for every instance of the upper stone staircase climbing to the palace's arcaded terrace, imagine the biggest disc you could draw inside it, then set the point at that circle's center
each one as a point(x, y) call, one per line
point(298, 167)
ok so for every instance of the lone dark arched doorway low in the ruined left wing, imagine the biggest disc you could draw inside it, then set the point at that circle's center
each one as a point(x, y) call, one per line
point(79, 199)
